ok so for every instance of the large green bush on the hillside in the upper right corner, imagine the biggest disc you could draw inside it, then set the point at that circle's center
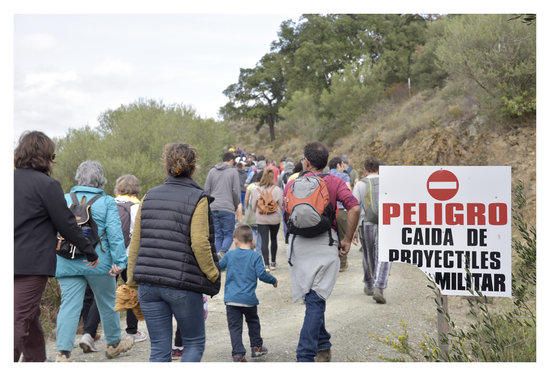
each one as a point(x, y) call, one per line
point(496, 53)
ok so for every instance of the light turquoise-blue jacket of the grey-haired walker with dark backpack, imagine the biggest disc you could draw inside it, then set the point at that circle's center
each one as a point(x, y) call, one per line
point(105, 215)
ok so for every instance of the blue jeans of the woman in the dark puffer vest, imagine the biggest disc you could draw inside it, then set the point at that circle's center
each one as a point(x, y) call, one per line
point(158, 305)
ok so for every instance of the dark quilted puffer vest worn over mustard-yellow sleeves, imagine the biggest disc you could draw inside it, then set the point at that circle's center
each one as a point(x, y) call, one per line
point(165, 255)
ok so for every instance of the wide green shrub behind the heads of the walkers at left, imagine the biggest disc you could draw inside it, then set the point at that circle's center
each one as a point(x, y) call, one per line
point(131, 138)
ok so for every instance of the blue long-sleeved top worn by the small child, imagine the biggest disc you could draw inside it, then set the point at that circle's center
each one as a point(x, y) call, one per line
point(244, 267)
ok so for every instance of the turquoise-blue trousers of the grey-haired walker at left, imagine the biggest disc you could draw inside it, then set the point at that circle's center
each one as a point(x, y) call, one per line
point(72, 298)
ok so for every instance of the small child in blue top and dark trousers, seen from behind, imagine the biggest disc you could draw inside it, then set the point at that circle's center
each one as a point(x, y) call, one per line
point(244, 268)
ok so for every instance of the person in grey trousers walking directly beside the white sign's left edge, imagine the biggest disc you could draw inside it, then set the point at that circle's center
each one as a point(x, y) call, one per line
point(375, 273)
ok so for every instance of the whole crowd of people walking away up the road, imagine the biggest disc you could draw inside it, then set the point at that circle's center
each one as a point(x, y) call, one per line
point(171, 247)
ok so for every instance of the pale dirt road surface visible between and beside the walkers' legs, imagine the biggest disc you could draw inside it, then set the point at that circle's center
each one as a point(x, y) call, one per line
point(352, 318)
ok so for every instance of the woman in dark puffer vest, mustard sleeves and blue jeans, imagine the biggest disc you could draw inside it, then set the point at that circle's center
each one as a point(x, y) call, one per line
point(172, 257)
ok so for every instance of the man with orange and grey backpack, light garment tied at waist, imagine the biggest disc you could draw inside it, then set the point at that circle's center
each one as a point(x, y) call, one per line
point(310, 203)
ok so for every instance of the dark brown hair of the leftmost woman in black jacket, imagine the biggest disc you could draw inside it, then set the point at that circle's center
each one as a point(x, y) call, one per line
point(35, 150)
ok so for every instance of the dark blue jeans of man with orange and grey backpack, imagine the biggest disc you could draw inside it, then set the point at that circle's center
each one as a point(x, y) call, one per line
point(313, 336)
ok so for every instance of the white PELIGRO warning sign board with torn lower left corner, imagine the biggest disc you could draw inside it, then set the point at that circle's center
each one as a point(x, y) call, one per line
point(448, 221)
